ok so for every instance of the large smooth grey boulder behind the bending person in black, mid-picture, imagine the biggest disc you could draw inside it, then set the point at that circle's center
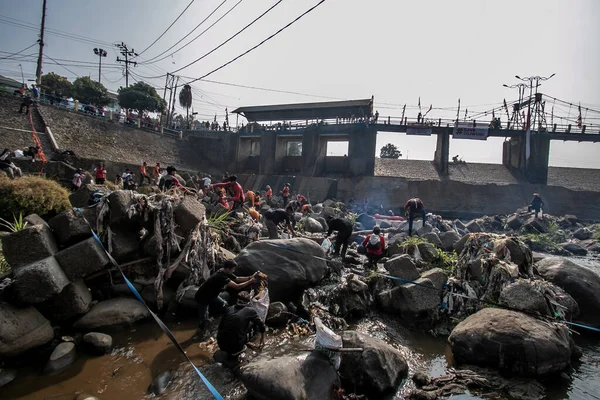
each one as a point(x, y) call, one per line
point(291, 265)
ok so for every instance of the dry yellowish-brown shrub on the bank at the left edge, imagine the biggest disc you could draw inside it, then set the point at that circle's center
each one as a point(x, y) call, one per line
point(31, 195)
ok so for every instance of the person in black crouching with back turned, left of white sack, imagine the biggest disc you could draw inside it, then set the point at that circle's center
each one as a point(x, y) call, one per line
point(236, 327)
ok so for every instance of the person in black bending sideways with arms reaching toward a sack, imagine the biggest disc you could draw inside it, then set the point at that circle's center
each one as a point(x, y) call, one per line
point(207, 296)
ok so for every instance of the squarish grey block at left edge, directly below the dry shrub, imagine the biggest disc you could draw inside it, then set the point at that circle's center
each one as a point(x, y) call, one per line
point(28, 245)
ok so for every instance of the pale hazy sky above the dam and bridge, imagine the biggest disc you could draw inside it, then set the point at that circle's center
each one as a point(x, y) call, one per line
point(398, 51)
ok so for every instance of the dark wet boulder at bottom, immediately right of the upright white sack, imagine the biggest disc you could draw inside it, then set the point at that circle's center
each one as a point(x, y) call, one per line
point(377, 371)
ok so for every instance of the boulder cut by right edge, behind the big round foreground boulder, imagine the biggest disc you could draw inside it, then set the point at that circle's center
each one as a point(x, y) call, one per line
point(579, 282)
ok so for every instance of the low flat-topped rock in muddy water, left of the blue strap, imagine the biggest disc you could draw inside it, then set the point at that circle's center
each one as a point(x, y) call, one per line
point(112, 312)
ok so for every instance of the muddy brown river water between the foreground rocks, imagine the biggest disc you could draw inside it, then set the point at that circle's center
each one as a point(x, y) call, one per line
point(143, 352)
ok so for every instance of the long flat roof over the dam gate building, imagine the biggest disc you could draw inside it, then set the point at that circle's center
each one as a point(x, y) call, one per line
point(304, 111)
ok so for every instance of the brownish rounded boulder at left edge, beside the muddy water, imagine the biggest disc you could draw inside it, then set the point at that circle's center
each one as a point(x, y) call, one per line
point(22, 329)
